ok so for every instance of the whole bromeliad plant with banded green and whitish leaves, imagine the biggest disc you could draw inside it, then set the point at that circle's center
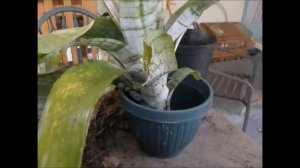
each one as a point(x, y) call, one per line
point(143, 49)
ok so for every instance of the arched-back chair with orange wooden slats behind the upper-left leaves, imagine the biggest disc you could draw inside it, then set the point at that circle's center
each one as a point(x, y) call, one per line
point(67, 17)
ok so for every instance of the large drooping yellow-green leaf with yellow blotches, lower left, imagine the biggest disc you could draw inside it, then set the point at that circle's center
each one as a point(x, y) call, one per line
point(66, 117)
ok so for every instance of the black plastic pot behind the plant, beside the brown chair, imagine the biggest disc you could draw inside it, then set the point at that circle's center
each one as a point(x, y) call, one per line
point(195, 51)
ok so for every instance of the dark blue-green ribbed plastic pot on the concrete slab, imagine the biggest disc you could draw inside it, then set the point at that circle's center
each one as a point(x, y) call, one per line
point(165, 134)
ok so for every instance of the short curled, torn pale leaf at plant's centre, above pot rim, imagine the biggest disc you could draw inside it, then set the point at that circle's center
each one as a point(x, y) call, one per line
point(160, 60)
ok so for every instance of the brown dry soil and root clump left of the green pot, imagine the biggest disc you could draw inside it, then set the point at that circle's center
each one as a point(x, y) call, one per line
point(108, 120)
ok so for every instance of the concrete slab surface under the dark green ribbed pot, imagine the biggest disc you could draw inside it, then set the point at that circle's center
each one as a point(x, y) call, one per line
point(218, 144)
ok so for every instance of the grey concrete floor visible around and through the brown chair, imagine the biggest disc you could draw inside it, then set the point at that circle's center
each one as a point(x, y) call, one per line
point(234, 110)
